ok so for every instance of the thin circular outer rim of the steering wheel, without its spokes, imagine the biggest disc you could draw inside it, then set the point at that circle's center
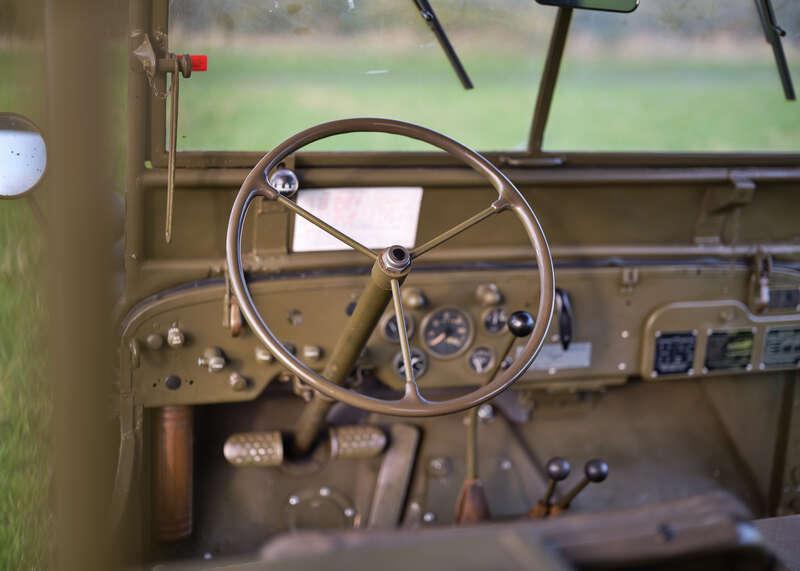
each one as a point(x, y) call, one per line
point(509, 198)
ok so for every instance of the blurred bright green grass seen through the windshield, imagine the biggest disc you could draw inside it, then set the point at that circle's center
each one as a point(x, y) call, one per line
point(252, 101)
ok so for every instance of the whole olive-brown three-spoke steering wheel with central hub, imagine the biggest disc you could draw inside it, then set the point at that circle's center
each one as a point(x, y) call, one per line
point(390, 268)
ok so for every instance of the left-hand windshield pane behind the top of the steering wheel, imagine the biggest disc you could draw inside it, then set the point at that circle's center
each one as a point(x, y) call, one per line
point(276, 67)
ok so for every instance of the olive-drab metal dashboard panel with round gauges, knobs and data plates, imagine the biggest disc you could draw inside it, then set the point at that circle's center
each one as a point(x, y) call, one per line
point(655, 322)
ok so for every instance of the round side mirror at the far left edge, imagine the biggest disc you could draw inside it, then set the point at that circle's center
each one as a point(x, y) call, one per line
point(23, 156)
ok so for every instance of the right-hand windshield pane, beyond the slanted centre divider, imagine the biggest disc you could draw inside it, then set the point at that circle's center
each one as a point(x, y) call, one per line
point(676, 76)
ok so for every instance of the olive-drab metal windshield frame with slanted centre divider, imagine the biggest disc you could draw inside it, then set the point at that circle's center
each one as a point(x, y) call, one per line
point(534, 156)
